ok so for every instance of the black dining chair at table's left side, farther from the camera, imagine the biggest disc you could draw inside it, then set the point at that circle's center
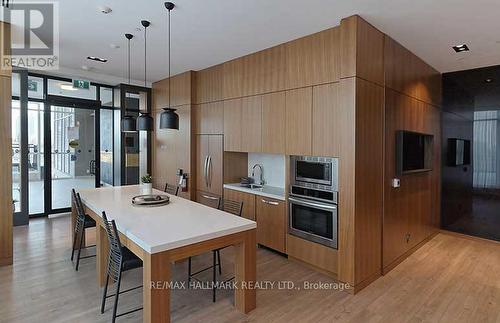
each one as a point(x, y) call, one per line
point(83, 221)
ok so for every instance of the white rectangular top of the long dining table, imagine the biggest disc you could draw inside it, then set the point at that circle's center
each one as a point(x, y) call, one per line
point(181, 222)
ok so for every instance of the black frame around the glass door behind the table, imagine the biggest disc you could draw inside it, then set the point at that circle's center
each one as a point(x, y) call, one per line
point(77, 103)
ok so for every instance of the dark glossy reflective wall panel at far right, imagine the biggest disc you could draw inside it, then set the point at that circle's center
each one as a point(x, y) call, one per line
point(471, 115)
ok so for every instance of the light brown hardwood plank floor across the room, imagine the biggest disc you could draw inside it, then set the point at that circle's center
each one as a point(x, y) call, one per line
point(450, 279)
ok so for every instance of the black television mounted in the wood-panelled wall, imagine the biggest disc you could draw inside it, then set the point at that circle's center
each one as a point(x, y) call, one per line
point(414, 152)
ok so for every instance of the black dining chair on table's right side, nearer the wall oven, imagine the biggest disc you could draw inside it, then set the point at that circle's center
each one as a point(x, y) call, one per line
point(225, 205)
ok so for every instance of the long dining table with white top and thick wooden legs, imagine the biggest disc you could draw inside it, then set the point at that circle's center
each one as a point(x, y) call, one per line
point(163, 235)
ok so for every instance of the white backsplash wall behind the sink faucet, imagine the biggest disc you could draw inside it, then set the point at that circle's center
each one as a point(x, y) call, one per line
point(274, 168)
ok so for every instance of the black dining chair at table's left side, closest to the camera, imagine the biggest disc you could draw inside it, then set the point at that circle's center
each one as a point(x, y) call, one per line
point(120, 259)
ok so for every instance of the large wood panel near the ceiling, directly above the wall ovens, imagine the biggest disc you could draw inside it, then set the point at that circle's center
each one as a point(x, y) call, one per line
point(314, 59)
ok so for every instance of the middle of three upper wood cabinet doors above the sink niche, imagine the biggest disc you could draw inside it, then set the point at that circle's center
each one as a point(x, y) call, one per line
point(251, 124)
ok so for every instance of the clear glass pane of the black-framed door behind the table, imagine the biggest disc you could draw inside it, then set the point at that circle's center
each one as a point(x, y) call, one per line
point(73, 153)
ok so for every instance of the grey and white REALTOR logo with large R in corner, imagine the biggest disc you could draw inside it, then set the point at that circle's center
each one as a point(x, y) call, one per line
point(34, 34)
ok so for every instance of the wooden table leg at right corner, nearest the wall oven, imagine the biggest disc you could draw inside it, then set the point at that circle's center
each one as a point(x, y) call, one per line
point(245, 268)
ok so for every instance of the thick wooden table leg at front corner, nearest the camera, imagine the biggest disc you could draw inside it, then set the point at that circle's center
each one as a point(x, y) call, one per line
point(156, 287)
